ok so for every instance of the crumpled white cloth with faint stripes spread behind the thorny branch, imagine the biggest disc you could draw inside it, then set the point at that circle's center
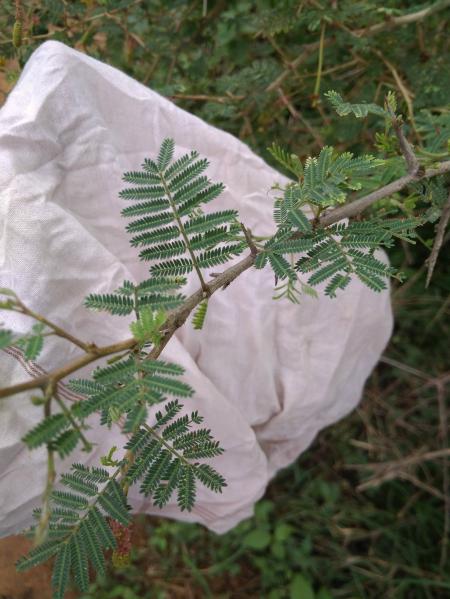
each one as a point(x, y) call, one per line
point(268, 375)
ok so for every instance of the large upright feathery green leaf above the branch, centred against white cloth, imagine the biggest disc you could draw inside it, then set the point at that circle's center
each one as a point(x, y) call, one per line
point(181, 190)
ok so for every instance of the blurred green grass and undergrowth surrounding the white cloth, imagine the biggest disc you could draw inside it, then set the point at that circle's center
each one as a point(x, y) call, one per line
point(317, 533)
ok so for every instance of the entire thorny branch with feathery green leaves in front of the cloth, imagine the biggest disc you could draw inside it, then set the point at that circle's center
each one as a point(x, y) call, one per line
point(314, 246)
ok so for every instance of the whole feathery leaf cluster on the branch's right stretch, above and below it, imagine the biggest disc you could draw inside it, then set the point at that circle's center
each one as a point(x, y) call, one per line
point(334, 254)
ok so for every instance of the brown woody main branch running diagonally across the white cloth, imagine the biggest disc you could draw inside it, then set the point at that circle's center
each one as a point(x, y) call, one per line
point(178, 317)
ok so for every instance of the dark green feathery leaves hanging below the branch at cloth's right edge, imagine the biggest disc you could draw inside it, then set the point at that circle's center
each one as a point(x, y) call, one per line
point(331, 255)
